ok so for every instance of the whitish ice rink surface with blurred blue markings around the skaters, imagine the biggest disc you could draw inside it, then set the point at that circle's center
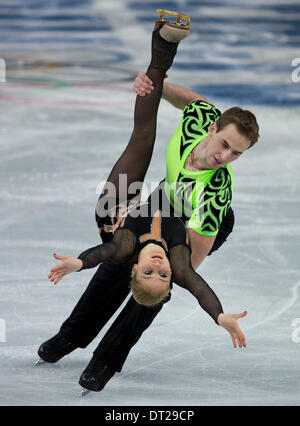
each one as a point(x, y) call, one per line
point(66, 115)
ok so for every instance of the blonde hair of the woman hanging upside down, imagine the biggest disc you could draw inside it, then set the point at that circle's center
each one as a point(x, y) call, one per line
point(145, 296)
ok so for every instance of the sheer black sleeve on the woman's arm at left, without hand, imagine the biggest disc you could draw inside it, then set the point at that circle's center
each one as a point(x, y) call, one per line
point(119, 249)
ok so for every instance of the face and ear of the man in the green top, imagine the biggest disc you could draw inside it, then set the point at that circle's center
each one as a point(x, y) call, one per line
point(224, 146)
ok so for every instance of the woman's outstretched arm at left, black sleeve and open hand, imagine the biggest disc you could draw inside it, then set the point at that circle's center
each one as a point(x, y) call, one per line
point(117, 250)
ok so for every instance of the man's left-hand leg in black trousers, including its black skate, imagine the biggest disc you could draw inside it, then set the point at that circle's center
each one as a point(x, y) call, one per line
point(105, 293)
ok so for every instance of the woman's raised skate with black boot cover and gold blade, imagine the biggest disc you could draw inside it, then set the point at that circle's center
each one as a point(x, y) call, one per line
point(166, 37)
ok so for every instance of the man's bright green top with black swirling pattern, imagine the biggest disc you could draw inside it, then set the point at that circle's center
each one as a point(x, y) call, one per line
point(201, 198)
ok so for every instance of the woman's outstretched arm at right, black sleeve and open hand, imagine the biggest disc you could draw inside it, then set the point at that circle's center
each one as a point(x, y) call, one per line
point(185, 276)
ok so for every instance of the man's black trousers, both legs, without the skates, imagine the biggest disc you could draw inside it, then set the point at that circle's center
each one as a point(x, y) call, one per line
point(105, 293)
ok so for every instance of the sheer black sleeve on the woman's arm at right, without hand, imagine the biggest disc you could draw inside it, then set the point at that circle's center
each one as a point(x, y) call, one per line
point(184, 275)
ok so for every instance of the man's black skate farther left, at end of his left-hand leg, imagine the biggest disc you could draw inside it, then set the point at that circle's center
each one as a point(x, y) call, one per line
point(55, 348)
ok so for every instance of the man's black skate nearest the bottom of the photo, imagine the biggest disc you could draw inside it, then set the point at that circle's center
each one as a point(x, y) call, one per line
point(95, 376)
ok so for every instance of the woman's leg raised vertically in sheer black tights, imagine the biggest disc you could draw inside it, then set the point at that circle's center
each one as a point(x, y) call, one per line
point(136, 157)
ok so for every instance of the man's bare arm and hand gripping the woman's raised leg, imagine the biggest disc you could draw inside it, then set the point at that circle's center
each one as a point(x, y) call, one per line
point(177, 96)
